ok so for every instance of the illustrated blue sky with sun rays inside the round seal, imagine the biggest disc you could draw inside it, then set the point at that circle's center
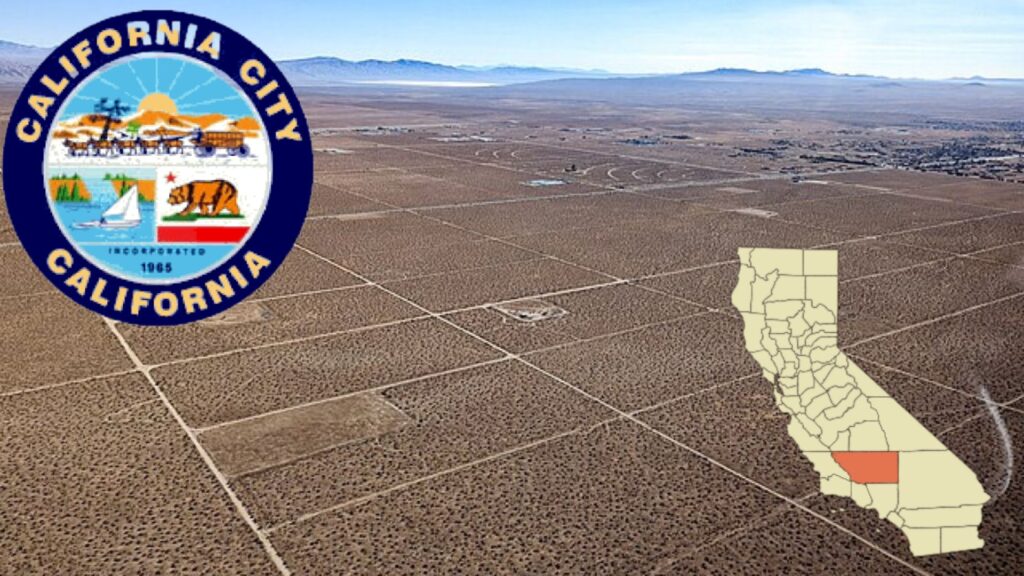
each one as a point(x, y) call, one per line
point(194, 89)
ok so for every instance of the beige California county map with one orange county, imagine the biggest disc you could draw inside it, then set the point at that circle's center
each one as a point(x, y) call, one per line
point(862, 442)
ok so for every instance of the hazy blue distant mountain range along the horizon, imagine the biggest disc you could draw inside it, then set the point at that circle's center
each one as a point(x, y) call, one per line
point(18, 63)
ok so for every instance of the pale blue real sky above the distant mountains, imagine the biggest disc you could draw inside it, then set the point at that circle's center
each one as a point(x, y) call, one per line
point(925, 39)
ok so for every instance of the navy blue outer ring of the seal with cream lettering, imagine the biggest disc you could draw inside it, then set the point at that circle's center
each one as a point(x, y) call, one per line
point(292, 168)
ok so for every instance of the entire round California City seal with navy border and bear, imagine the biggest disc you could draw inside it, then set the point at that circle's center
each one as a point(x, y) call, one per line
point(158, 168)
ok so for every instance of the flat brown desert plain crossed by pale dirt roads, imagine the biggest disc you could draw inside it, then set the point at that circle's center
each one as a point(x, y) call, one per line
point(504, 344)
